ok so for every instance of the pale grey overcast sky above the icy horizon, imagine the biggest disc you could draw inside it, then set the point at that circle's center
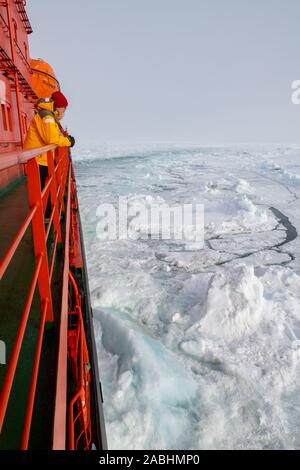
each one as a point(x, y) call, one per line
point(205, 71)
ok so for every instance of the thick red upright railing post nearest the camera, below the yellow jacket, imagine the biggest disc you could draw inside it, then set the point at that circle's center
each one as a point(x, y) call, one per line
point(39, 237)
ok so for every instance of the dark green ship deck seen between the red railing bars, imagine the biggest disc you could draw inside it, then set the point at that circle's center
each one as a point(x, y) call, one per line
point(13, 290)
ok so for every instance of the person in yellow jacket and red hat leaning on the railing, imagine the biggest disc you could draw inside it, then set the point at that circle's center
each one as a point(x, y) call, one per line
point(45, 129)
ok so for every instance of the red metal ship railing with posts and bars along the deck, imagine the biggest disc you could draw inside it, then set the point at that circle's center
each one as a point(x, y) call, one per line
point(57, 186)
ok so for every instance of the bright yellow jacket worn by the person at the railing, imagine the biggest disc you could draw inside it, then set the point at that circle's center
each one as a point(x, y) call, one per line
point(44, 130)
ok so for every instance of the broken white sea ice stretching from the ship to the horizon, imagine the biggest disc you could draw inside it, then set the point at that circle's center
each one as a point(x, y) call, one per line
point(198, 349)
